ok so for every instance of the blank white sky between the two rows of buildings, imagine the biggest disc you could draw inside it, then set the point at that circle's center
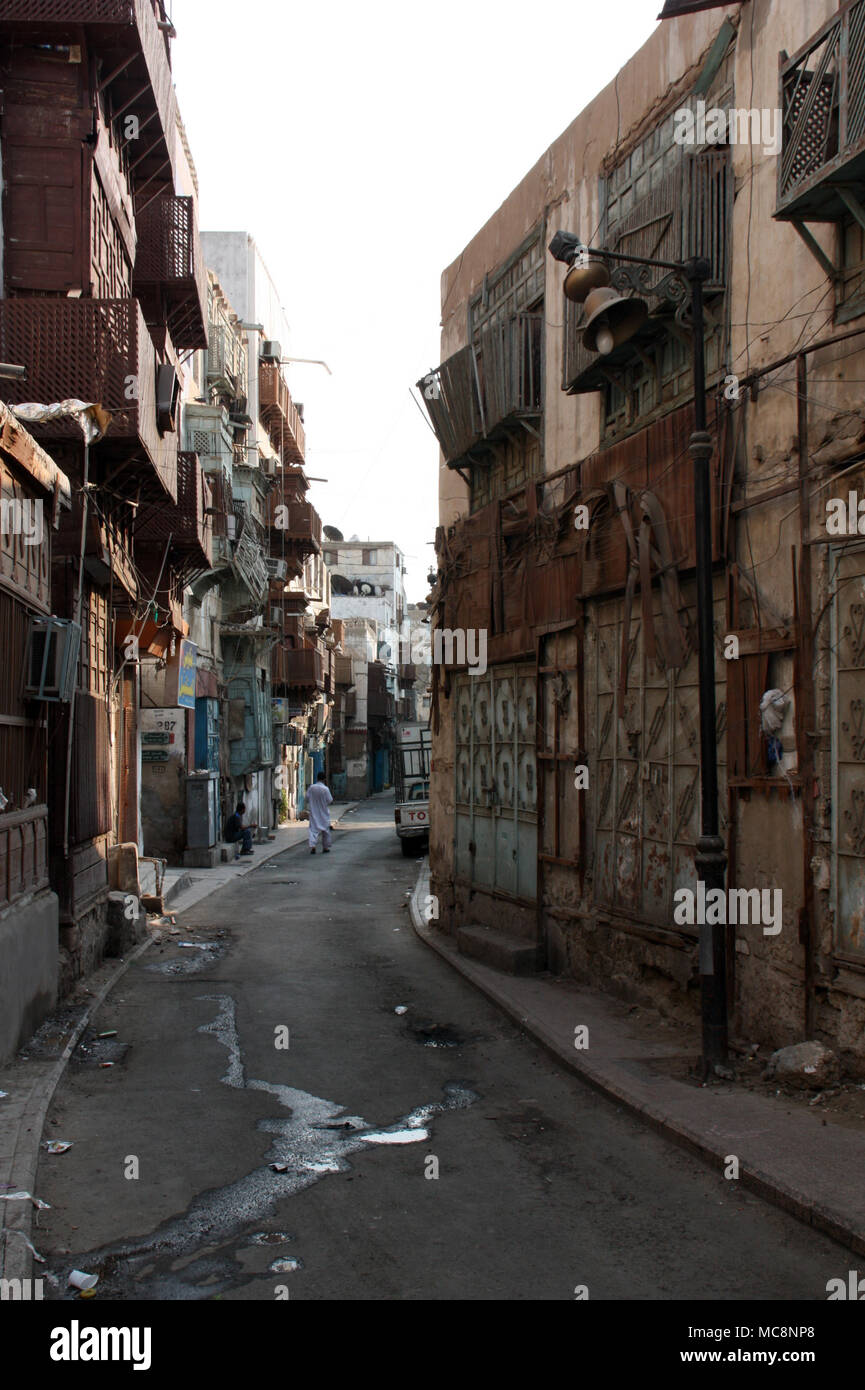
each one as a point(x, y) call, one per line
point(364, 147)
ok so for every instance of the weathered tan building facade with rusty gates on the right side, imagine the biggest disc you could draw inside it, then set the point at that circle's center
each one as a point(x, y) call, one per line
point(567, 776)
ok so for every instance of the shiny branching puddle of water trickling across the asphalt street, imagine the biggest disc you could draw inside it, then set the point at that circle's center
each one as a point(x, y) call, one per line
point(315, 1139)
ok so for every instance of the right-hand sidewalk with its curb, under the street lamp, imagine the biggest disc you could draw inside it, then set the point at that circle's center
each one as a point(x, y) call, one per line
point(798, 1160)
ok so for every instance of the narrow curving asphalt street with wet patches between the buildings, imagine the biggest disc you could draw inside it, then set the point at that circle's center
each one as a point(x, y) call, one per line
point(542, 1185)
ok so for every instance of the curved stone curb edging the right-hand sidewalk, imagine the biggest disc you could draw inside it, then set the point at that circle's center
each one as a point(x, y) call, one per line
point(764, 1184)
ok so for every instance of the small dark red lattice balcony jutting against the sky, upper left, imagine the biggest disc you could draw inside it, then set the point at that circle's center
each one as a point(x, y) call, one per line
point(170, 265)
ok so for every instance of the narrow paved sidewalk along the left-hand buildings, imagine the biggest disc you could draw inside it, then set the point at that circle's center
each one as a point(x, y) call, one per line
point(30, 1082)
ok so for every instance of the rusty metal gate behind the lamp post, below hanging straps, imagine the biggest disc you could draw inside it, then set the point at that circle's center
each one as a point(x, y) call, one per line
point(645, 768)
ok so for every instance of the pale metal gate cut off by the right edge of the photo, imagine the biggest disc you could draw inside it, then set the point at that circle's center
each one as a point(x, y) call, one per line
point(849, 753)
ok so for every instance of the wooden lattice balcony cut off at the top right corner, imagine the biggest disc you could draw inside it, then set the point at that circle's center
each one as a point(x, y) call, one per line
point(823, 97)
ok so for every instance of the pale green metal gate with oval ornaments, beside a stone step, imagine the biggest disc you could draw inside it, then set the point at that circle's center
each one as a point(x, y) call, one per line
point(497, 780)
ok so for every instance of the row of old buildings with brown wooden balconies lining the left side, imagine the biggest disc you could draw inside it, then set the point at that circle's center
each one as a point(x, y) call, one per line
point(190, 650)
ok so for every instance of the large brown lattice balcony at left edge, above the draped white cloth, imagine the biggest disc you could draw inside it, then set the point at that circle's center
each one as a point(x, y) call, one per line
point(95, 351)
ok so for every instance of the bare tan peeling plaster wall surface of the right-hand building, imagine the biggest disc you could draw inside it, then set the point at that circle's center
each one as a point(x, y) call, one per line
point(778, 300)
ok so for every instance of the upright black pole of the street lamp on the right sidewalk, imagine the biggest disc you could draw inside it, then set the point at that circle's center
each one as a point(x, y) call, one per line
point(711, 860)
